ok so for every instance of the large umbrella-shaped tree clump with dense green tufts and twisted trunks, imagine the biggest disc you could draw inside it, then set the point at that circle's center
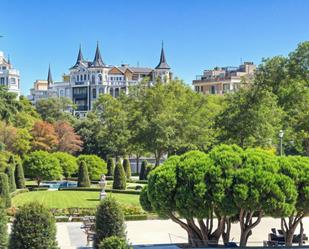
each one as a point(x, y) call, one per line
point(227, 182)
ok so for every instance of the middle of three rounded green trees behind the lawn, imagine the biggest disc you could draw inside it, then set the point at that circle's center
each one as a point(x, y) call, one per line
point(67, 162)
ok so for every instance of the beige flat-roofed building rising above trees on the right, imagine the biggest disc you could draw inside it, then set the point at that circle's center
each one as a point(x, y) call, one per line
point(222, 80)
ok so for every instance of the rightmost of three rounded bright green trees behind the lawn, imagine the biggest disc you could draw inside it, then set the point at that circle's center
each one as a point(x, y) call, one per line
point(96, 166)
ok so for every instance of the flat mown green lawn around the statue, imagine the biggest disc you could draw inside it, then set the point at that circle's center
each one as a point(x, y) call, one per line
point(67, 199)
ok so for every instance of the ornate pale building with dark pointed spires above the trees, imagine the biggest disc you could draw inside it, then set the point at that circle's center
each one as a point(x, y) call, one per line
point(88, 79)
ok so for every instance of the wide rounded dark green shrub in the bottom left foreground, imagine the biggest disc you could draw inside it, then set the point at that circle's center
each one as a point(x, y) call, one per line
point(34, 227)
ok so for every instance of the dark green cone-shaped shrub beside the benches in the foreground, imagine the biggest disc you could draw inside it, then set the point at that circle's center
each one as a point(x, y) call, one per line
point(109, 221)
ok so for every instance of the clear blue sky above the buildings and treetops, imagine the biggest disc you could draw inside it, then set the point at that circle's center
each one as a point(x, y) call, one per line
point(197, 34)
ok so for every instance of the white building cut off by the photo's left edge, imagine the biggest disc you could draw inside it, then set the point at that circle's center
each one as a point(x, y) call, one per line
point(9, 76)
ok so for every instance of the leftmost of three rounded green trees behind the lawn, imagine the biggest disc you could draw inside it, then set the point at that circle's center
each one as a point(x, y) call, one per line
point(41, 165)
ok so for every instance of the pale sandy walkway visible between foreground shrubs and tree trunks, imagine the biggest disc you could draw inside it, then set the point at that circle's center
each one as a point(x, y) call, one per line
point(70, 236)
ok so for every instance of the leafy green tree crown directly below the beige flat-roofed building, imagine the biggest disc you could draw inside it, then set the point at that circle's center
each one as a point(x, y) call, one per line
point(251, 118)
